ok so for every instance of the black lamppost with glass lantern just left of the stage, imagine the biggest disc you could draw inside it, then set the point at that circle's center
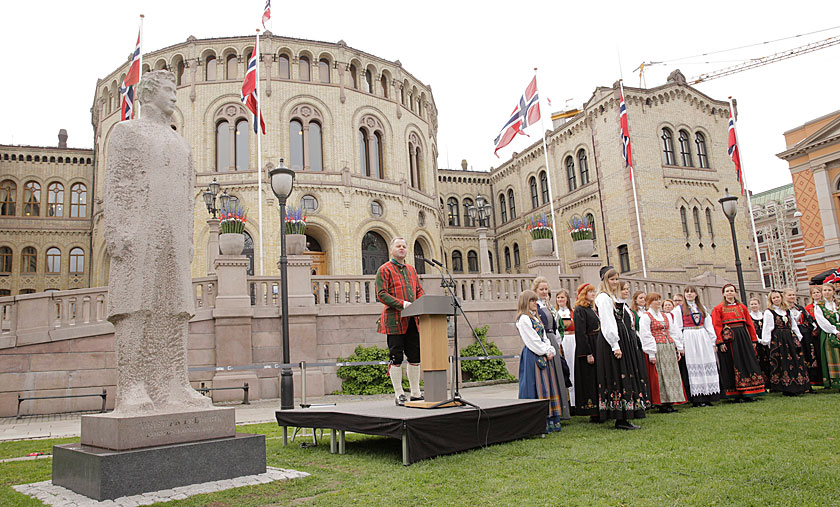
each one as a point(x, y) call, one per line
point(282, 178)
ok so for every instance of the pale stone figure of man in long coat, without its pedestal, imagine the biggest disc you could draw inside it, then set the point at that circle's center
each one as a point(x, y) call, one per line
point(148, 212)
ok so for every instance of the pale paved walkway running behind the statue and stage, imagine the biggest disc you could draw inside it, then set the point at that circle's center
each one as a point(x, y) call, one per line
point(69, 425)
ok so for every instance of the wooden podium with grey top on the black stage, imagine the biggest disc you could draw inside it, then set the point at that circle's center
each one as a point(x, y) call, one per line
point(434, 346)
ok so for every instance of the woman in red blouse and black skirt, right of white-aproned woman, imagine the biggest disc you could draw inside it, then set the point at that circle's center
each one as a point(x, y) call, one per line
point(740, 374)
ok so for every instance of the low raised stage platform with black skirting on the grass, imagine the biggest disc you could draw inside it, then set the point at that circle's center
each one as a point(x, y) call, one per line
point(425, 433)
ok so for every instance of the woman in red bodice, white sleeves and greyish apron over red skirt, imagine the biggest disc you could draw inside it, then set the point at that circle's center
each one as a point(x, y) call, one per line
point(662, 344)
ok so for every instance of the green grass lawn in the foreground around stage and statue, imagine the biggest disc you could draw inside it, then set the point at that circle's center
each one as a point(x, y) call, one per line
point(776, 451)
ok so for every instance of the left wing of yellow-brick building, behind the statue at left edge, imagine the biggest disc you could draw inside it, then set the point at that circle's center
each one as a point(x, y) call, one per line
point(44, 218)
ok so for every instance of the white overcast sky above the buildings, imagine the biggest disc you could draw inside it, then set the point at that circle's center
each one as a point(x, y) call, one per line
point(477, 56)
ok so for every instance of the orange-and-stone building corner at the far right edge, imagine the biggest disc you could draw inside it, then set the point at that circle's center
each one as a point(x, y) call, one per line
point(813, 155)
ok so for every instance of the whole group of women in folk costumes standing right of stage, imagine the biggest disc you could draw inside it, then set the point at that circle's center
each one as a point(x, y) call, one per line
point(608, 355)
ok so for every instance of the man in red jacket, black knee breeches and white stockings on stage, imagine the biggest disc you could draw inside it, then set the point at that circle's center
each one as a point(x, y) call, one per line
point(397, 286)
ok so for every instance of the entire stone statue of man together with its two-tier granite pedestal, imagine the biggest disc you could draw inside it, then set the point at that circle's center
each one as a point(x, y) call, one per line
point(162, 433)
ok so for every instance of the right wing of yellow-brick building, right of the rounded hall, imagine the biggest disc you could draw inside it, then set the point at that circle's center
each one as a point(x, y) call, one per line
point(682, 167)
